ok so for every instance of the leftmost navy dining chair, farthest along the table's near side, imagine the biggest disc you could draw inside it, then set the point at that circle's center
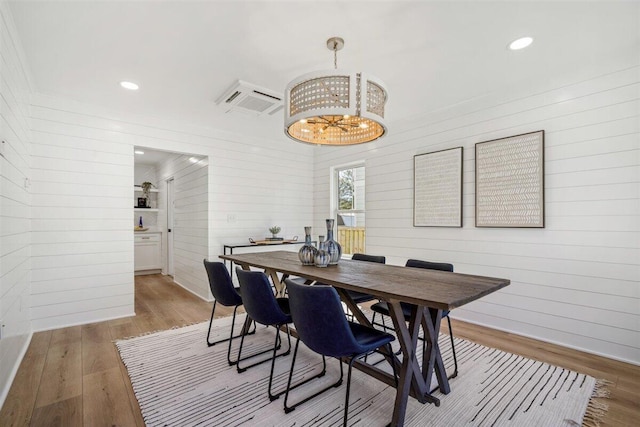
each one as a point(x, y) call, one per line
point(224, 293)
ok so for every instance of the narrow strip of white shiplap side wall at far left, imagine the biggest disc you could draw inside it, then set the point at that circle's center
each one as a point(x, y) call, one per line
point(15, 200)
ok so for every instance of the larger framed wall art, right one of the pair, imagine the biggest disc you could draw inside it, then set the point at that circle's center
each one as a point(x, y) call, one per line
point(510, 182)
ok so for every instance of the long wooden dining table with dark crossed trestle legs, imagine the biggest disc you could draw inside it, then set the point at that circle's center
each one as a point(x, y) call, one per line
point(428, 293)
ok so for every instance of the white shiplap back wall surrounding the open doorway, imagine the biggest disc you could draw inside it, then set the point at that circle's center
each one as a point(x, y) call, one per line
point(82, 184)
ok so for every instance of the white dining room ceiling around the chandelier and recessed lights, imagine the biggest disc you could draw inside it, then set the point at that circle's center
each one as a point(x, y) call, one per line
point(184, 54)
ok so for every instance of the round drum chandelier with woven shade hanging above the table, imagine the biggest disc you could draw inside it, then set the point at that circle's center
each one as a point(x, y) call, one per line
point(335, 107)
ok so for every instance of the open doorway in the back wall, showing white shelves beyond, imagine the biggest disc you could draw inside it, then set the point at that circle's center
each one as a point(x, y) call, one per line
point(178, 214)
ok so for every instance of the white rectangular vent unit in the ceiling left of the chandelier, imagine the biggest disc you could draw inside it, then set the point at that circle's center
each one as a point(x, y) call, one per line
point(248, 98)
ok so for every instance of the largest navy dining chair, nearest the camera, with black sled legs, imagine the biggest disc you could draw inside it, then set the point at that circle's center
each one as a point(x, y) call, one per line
point(321, 325)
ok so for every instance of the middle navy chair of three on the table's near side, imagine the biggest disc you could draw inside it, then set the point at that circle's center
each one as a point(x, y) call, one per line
point(264, 308)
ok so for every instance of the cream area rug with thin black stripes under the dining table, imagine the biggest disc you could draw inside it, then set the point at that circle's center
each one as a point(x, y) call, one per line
point(179, 381)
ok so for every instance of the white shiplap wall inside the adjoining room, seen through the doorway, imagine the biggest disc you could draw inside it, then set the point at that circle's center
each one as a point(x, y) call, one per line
point(190, 222)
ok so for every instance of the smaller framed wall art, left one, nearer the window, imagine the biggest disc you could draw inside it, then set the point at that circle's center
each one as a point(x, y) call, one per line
point(437, 189)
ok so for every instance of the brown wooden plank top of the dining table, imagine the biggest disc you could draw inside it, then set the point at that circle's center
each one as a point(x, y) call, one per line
point(430, 288)
